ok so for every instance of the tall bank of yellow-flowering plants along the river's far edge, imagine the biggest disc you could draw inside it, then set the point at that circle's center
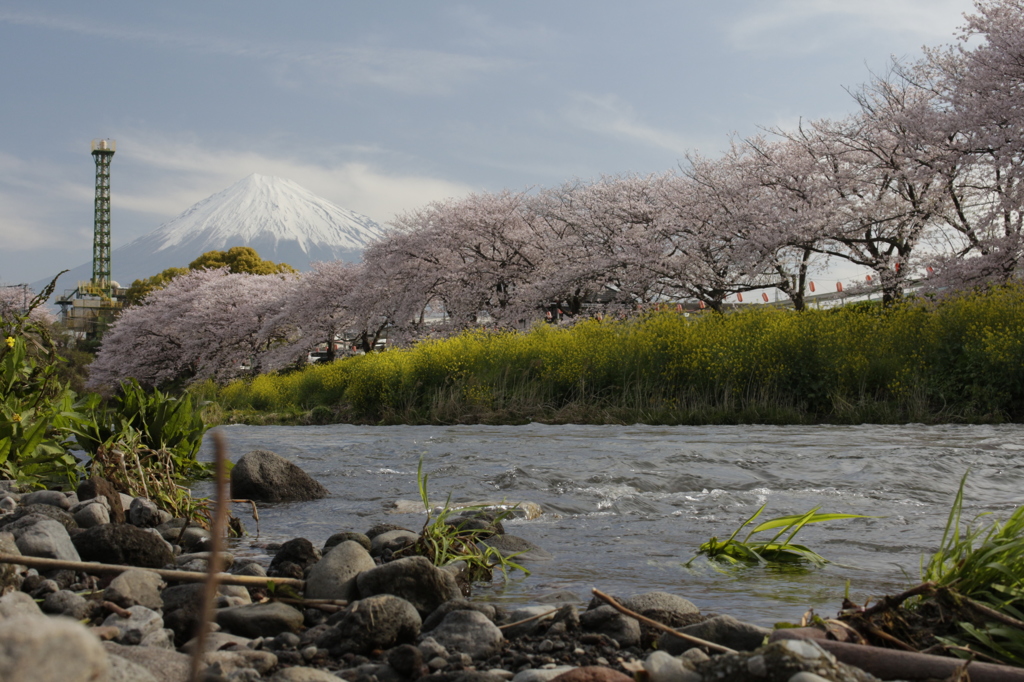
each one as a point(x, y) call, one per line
point(962, 360)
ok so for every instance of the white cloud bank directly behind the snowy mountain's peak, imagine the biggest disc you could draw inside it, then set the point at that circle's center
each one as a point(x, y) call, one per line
point(190, 172)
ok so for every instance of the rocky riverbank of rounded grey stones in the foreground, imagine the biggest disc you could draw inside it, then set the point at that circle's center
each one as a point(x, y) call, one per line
point(358, 609)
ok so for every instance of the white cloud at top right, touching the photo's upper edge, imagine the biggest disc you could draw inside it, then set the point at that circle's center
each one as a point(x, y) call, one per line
point(808, 26)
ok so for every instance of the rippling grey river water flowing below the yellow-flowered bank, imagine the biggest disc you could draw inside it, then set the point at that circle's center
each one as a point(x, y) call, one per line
point(625, 507)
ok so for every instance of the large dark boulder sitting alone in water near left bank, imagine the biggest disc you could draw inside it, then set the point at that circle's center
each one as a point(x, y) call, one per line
point(266, 477)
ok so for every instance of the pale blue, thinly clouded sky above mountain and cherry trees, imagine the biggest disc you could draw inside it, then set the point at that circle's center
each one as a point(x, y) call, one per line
point(385, 107)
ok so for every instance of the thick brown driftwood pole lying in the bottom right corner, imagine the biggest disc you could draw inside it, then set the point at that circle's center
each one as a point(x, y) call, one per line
point(894, 665)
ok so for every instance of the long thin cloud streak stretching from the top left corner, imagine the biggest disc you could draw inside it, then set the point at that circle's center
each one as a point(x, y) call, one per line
point(387, 67)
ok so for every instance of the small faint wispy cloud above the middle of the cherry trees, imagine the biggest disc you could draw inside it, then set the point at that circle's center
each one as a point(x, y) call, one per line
point(610, 115)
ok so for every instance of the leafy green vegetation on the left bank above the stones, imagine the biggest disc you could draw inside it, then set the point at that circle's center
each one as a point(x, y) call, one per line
point(139, 440)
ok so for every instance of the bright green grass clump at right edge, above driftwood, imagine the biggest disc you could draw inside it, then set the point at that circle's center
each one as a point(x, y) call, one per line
point(983, 566)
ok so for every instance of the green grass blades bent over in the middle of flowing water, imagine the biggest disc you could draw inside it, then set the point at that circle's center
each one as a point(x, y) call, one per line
point(779, 550)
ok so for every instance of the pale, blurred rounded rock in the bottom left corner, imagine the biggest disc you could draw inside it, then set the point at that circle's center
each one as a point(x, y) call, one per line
point(51, 650)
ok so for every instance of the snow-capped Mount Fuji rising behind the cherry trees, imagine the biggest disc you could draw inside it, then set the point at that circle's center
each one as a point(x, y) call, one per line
point(282, 221)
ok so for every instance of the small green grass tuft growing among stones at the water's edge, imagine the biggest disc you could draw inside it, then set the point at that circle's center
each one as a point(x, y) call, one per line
point(446, 543)
